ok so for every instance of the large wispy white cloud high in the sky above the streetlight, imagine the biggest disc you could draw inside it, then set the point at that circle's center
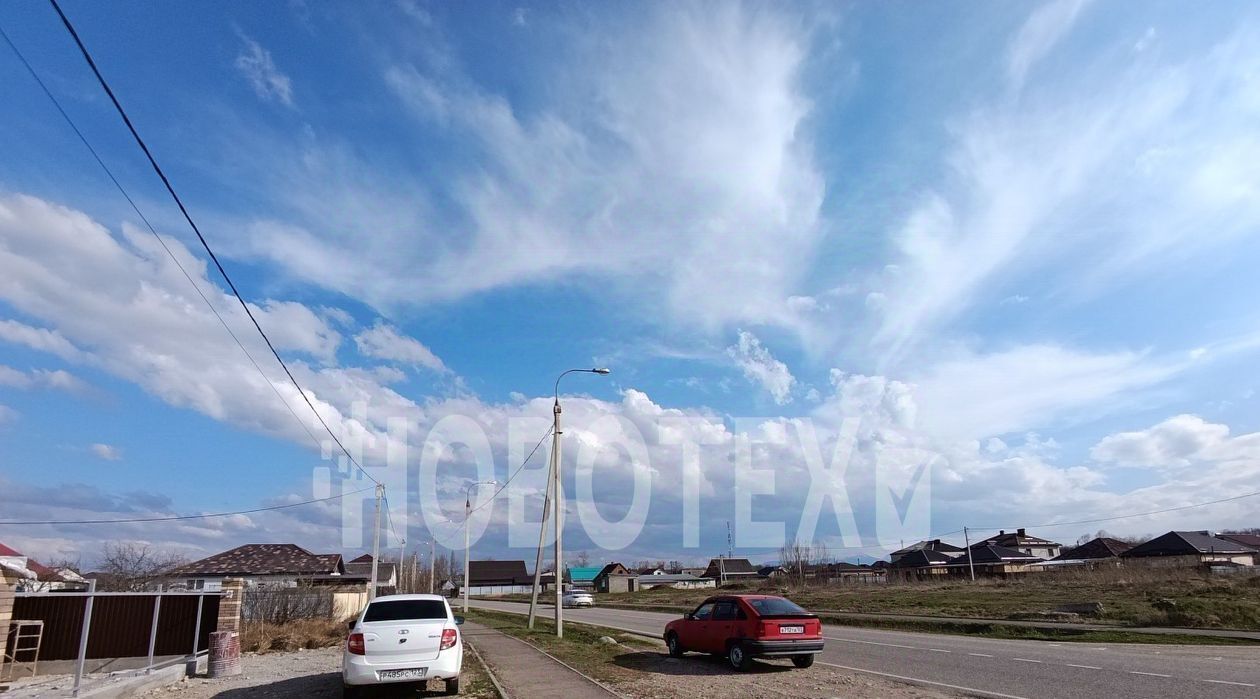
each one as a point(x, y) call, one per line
point(697, 151)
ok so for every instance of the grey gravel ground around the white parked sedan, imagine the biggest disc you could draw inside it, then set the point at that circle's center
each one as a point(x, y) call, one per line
point(316, 674)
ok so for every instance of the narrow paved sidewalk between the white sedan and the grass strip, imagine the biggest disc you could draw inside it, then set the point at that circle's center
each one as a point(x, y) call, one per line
point(525, 672)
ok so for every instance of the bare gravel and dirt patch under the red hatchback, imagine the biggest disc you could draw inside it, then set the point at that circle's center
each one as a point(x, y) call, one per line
point(699, 677)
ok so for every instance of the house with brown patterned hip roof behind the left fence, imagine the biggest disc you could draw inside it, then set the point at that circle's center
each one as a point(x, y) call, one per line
point(265, 565)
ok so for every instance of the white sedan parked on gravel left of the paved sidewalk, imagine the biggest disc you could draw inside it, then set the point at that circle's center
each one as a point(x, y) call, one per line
point(404, 639)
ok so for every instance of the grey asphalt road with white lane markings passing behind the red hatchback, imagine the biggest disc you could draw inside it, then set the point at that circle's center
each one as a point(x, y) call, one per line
point(1001, 668)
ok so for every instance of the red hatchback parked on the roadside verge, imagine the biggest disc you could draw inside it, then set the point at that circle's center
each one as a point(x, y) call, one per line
point(745, 627)
